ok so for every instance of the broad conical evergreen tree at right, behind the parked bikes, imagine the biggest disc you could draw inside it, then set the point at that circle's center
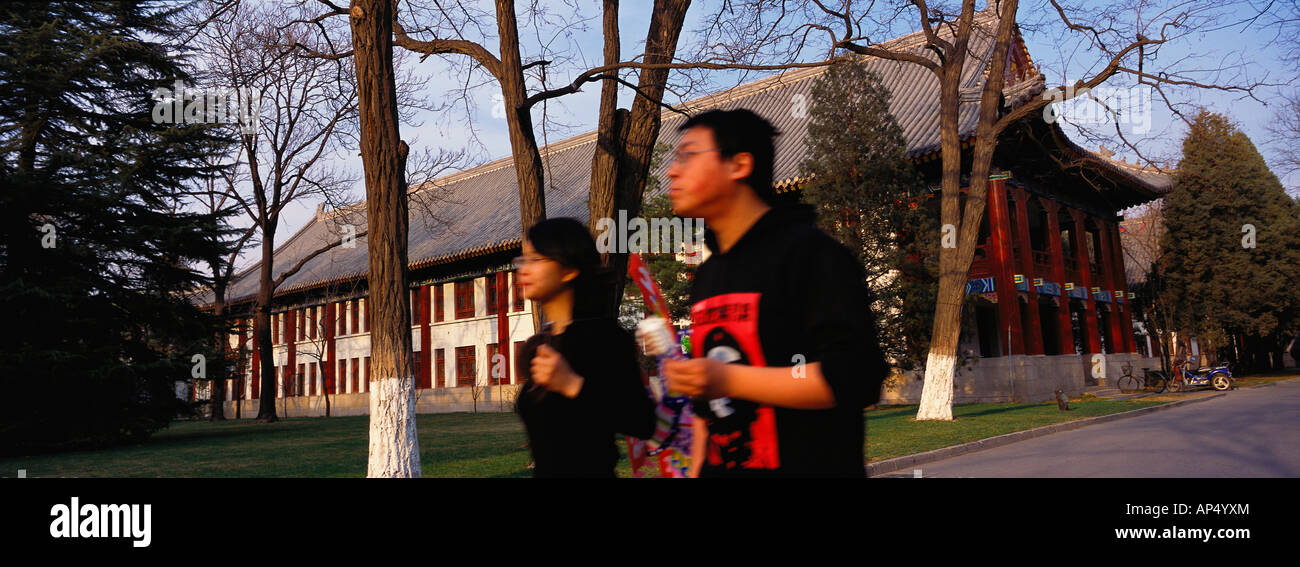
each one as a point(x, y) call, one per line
point(1232, 248)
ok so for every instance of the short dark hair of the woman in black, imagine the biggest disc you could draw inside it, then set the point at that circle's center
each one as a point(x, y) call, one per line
point(571, 245)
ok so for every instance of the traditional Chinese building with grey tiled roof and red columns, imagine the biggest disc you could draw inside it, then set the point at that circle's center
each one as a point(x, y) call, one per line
point(1048, 274)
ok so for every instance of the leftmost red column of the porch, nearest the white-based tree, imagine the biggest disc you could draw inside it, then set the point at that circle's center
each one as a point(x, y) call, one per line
point(1004, 267)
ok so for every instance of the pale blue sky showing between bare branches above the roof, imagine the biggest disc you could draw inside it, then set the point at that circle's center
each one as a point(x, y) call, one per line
point(1246, 51)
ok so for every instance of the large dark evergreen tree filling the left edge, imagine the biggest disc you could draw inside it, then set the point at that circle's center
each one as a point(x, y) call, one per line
point(96, 279)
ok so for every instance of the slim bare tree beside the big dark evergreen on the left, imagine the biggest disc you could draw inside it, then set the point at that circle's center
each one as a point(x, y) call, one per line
point(304, 114)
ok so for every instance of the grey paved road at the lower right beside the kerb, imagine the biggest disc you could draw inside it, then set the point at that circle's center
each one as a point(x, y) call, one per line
point(1245, 434)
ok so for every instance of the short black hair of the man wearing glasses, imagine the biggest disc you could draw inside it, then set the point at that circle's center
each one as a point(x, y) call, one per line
point(739, 132)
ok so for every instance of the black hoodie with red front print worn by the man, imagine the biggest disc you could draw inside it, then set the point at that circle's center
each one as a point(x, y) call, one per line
point(786, 295)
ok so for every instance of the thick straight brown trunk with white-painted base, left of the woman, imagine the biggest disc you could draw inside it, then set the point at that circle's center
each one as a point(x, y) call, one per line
point(395, 451)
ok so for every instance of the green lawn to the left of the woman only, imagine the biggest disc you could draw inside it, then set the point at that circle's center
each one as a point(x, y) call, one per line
point(460, 445)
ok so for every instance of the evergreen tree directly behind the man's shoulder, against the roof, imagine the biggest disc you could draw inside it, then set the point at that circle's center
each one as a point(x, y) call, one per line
point(870, 198)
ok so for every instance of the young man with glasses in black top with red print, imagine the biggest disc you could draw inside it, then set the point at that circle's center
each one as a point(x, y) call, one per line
point(782, 328)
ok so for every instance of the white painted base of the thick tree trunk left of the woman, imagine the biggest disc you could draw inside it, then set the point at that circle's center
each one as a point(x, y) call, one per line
point(395, 447)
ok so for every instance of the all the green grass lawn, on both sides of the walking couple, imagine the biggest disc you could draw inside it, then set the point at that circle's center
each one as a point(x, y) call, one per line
point(467, 445)
